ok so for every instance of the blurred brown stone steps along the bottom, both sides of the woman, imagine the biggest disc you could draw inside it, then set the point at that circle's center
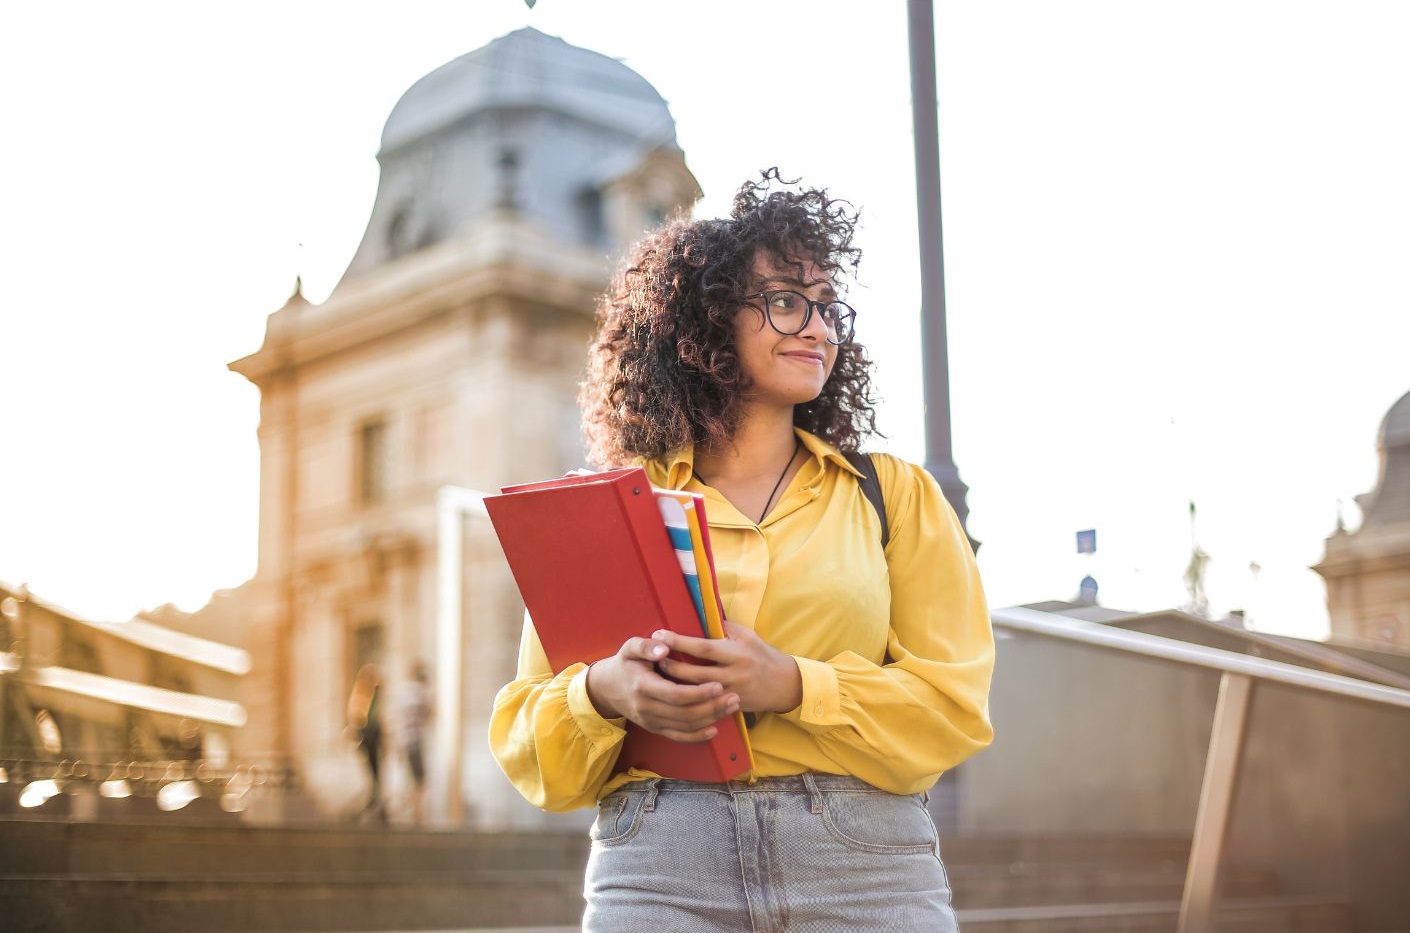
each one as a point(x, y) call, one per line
point(152, 877)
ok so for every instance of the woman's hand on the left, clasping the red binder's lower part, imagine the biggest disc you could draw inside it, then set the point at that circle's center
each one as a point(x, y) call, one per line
point(628, 684)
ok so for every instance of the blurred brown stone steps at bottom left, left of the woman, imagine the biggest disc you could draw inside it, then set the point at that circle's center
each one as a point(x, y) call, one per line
point(157, 879)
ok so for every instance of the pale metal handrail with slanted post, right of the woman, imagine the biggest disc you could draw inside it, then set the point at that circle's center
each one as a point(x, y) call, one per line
point(1239, 674)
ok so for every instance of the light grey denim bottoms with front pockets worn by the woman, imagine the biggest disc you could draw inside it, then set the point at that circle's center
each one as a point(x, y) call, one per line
point(811, 853)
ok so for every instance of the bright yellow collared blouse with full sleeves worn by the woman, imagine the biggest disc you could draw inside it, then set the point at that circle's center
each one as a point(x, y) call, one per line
point(896, 650)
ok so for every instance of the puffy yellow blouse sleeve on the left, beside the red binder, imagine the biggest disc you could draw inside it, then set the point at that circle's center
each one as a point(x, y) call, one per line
point(548, 738)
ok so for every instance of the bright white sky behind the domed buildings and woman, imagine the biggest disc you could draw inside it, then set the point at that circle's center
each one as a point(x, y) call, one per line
point(1177, 247)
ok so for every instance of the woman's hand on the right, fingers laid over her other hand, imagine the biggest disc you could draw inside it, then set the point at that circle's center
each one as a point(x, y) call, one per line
point(765, 679)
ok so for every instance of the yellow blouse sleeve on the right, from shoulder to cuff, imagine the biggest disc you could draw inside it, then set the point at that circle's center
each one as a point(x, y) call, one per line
point(902, 724)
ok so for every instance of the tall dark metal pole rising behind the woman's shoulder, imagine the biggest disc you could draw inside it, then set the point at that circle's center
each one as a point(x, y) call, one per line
point(940, 457)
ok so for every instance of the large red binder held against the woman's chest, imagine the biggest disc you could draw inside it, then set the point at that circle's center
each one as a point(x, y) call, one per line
point(596, 567)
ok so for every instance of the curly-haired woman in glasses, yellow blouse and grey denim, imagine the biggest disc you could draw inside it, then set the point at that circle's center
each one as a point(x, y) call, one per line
point(724, 363)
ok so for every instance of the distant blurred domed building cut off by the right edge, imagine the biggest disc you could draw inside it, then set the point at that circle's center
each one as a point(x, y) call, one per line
point(1368, 570)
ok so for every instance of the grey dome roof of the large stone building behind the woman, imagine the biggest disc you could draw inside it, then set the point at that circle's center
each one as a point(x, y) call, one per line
point(573, 143)
